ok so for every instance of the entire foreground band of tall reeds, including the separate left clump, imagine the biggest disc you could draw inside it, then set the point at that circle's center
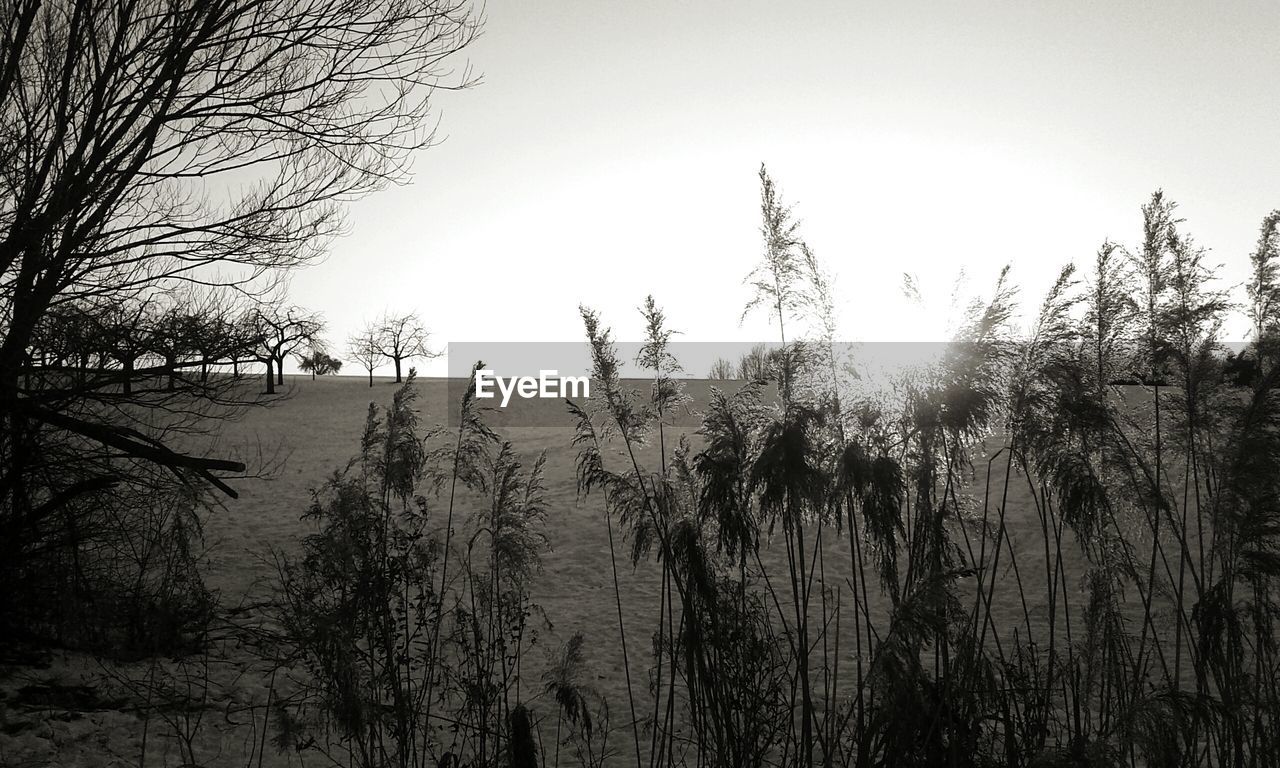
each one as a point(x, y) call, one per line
point(1063, 546)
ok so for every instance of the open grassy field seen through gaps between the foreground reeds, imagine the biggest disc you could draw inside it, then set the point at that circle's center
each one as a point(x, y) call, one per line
point(319, 429)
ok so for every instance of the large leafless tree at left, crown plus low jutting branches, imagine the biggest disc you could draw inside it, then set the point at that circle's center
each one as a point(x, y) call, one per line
point(152, 144)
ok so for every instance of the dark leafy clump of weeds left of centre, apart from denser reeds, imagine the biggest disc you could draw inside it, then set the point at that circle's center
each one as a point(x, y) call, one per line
point(410, 664)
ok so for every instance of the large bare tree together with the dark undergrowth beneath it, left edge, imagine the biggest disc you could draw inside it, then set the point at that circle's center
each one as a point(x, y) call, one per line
point(164, 166)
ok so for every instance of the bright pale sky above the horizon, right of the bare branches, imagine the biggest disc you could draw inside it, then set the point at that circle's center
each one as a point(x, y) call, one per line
point(611, 152)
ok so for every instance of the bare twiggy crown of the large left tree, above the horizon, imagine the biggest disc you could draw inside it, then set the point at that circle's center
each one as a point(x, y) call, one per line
point(120, 117)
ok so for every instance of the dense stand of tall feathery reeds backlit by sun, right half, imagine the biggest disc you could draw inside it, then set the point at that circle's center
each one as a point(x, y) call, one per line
point(1145, 593)
